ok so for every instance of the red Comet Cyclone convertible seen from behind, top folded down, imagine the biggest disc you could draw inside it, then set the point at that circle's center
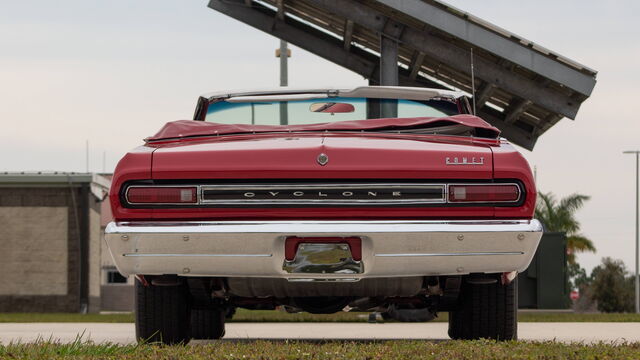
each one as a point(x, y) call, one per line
point(367, 199)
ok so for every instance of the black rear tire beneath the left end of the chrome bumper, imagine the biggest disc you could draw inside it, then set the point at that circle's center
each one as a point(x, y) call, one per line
point(162, 314)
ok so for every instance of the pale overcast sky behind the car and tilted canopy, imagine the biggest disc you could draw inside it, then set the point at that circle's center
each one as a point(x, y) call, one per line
point(113, 72)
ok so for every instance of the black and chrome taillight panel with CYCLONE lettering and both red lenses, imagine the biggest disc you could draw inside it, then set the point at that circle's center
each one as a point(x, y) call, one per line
point(500, 194)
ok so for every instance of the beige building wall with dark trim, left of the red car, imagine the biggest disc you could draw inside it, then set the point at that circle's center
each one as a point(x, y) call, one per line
point(40, 236)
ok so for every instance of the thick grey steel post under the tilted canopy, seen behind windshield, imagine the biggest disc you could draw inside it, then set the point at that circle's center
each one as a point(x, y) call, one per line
point(388, 74)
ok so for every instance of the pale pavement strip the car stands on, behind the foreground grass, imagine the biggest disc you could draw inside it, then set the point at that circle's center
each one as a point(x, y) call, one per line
point(125, 333)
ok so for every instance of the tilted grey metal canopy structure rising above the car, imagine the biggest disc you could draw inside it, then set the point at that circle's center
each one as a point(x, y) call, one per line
point(520, 87)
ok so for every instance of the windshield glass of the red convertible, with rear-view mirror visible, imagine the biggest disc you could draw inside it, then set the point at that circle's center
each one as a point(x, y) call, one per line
point(323, 110)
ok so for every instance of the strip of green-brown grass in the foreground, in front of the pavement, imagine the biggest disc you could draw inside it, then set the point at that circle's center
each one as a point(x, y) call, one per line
point(382, 350)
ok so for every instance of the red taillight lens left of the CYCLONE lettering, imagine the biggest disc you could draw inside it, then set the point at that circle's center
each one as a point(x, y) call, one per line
point(162, 195)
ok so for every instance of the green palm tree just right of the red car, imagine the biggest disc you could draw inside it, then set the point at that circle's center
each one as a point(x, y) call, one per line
point(559, 216)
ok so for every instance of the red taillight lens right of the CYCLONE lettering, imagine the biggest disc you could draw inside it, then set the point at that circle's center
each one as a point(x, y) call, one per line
point(484, 193)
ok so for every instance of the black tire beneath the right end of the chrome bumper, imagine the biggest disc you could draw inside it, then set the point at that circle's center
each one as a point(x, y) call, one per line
point(487, 311)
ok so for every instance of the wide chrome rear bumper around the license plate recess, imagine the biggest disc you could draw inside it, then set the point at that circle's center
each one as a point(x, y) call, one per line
point(256, 248)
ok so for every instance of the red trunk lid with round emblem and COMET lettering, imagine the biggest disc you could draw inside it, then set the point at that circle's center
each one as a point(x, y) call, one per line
point(296, 157)
